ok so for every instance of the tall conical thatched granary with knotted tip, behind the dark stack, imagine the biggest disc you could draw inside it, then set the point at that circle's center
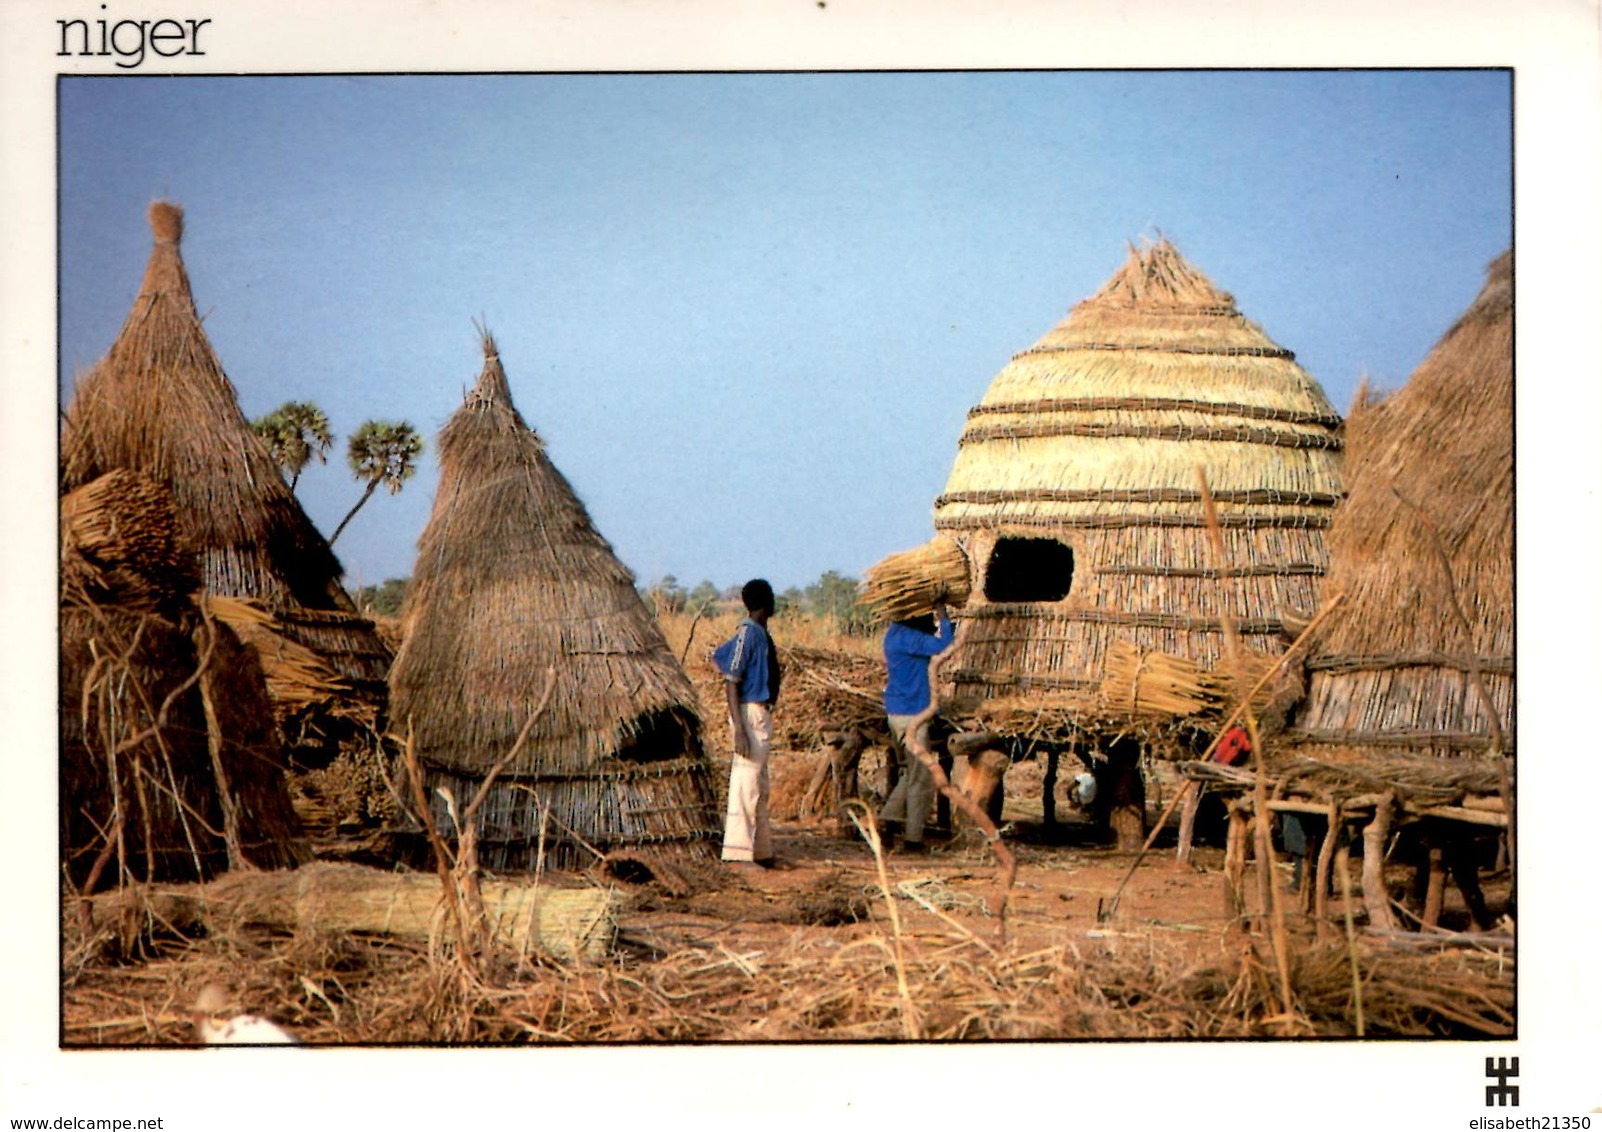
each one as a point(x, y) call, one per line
point(161, 404)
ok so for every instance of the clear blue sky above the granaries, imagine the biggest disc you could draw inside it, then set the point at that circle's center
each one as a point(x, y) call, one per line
point(749, 313)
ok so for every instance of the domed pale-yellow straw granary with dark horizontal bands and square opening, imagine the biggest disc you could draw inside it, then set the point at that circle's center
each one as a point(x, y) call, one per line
point(1095, 438)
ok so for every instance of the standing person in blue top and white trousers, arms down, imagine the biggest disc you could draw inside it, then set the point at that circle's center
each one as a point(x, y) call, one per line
point(751, 667)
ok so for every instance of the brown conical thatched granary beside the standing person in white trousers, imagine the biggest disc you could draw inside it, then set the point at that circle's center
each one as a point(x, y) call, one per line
point(515, 584)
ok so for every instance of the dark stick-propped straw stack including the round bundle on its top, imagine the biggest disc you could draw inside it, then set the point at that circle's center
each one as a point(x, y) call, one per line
point(171, 760)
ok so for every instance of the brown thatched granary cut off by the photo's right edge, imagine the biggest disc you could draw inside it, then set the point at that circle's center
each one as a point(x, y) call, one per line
point(1399, 672)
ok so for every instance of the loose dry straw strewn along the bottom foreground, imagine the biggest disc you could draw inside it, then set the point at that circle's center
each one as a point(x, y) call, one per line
point(823, 985)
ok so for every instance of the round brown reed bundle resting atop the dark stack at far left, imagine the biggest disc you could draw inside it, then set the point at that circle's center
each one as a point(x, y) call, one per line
point(119, 544)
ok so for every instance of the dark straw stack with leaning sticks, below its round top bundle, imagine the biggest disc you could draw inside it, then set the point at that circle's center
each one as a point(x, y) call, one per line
point(171, 761)
